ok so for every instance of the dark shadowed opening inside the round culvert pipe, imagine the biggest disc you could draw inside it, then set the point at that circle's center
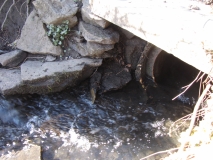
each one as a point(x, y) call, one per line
point(171, 71)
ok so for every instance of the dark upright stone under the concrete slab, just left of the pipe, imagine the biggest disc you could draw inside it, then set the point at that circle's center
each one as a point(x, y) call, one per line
point(134, 48)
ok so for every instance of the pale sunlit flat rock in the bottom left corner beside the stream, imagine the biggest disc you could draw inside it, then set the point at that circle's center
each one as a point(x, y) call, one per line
point(32, 153)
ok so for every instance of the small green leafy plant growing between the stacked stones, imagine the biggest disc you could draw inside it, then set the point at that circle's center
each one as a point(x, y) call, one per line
point(58, 33)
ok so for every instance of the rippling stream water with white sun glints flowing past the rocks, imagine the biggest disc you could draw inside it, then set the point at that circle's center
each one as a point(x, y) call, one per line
point(126, 124)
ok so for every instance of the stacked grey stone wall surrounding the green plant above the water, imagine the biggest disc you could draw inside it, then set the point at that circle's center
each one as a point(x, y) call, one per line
point(91, 39)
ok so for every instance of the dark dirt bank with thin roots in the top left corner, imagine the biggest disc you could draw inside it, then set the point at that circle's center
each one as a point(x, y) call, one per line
point(13, 23)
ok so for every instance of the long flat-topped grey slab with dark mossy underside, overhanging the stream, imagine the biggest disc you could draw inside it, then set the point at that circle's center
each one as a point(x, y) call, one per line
point(56, 76)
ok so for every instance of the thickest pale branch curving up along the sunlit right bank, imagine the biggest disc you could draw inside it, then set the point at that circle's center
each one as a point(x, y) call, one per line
point(194, 116)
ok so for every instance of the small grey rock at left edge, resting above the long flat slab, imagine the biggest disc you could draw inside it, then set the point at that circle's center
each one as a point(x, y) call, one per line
point(12, 59)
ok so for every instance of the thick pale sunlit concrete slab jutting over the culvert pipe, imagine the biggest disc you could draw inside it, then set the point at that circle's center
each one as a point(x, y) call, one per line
point(182, 28)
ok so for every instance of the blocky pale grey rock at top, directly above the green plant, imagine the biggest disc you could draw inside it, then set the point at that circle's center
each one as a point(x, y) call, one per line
point(55, 12)
